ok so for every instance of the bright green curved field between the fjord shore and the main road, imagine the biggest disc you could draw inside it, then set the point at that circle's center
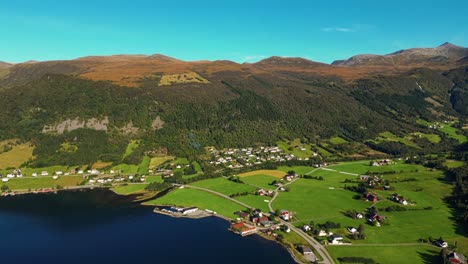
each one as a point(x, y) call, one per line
point(203, 200)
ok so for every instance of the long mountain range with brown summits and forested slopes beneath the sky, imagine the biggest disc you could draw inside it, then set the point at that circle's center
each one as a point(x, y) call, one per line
point(99, 103)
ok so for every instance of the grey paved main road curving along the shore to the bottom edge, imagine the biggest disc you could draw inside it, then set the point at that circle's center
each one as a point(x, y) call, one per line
point(327, 259)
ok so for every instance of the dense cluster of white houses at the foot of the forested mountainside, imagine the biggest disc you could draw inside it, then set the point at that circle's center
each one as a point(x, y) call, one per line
point(241, 157)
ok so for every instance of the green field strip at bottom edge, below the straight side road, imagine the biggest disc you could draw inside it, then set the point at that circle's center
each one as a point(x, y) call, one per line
point(388, 254)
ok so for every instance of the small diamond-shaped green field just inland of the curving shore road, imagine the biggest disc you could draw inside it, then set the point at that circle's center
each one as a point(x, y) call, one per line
point(224, 186)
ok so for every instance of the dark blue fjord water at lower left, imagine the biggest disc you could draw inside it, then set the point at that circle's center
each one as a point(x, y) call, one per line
point(97, 226)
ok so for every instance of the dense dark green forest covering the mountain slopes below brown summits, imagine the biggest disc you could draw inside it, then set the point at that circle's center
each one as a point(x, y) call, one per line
point(247, 111)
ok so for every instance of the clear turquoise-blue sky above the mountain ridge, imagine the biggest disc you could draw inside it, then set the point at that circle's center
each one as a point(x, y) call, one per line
point(237, 30)
